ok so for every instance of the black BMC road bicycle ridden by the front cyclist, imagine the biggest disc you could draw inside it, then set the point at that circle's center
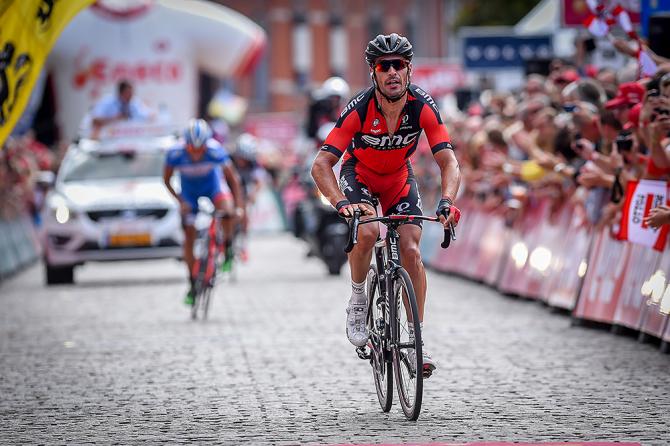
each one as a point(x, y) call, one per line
point(390, 349)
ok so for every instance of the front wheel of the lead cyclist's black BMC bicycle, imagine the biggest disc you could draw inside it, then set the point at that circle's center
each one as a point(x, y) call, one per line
point(407, 354)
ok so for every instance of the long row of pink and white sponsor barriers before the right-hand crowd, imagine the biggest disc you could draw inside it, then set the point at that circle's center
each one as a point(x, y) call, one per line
point(551, 255)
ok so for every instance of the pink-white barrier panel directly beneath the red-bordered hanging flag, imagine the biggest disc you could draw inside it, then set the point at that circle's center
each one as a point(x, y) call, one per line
point(642, 265)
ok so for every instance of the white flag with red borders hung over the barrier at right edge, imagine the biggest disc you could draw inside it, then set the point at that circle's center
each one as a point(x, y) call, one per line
point(641, 197)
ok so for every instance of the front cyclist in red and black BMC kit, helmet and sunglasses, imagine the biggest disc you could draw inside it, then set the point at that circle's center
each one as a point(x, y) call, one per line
point(377, 133)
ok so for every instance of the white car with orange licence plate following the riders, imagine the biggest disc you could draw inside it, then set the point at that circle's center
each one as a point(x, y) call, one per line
point(109, 203)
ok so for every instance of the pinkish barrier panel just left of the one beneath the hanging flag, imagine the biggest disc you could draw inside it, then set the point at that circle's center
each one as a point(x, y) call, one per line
point(605, 273)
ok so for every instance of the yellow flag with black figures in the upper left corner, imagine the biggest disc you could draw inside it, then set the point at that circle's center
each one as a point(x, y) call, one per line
point(28, 31)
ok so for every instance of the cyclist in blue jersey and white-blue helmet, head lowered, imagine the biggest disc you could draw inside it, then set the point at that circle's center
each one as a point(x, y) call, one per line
point(205, 170)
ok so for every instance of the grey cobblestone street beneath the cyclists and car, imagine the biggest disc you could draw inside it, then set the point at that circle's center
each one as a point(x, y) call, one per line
point(115, 358)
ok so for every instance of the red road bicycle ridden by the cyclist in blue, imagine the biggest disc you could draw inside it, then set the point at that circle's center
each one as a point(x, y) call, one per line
point(209, 243)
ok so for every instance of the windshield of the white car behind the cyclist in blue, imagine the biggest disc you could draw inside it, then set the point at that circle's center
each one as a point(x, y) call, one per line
point(83, 166)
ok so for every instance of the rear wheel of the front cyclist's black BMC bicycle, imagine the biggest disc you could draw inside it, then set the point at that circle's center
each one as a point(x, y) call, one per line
point(377, 326)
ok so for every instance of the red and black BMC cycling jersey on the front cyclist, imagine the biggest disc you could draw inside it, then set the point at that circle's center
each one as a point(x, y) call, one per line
point(362, 131)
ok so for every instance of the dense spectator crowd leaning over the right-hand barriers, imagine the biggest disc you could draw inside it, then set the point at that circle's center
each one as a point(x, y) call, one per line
point(577, 135)
